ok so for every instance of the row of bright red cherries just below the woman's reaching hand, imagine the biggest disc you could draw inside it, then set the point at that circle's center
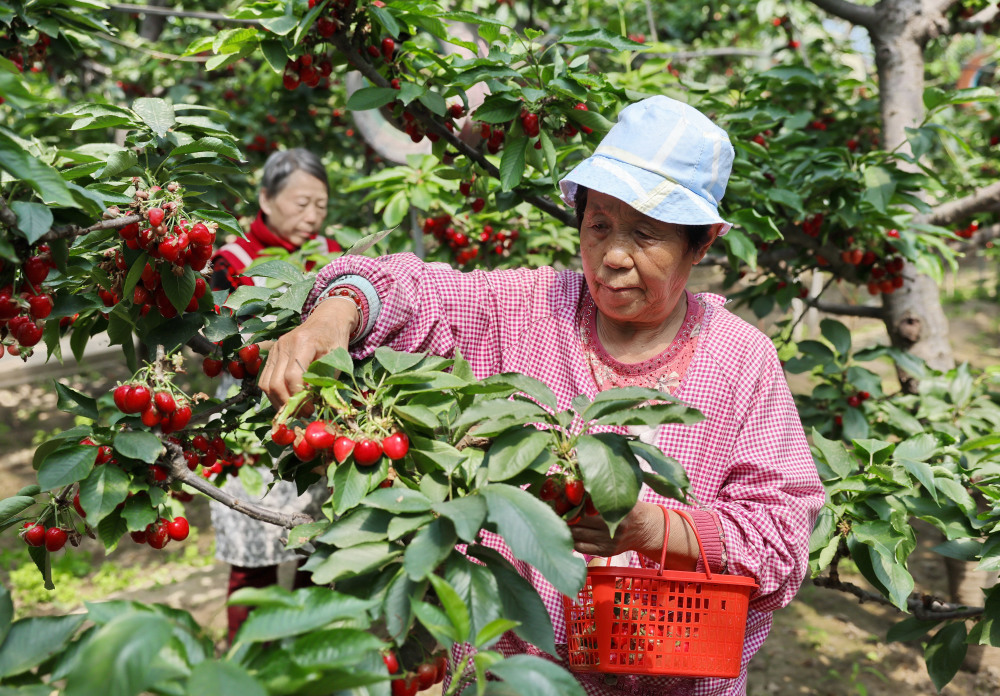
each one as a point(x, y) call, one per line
point(322, 436)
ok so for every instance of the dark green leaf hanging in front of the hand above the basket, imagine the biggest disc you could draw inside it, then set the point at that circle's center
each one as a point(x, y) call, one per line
point(611, 475)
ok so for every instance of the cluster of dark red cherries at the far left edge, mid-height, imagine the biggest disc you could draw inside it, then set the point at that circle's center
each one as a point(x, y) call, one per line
point(22, 311)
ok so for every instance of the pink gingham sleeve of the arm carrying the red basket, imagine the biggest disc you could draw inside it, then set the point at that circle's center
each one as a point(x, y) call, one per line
point(772, 495)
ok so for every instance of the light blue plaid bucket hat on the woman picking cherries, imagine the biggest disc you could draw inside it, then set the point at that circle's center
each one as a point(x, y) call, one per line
point(665, 159)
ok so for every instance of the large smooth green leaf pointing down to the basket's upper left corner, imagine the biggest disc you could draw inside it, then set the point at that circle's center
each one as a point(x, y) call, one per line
point(535, 535)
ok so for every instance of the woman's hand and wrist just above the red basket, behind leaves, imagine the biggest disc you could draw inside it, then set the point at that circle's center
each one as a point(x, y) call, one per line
point(642, 531)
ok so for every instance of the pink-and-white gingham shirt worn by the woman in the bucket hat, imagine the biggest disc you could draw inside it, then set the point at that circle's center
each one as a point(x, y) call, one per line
point(748, 461)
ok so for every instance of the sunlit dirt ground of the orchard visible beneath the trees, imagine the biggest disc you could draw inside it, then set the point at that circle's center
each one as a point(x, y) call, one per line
point(823, 643)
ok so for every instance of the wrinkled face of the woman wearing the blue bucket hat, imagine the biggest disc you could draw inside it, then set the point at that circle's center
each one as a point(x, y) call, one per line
point(636, 267)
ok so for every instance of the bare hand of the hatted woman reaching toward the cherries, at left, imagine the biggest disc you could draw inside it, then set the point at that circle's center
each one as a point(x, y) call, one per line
point(329, 327)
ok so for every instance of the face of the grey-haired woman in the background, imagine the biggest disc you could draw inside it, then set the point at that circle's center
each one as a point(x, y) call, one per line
point(297, 211)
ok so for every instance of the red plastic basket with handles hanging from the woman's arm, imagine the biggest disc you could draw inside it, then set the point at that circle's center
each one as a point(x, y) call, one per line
point(659, 622)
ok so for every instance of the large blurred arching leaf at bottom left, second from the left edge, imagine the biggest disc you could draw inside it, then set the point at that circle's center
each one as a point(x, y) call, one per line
point(118, 658)
